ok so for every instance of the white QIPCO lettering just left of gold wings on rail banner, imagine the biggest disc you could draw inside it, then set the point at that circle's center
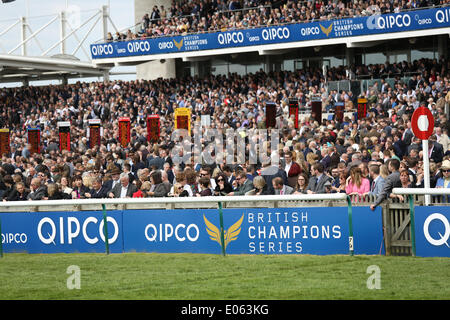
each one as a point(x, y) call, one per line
point(164, 232)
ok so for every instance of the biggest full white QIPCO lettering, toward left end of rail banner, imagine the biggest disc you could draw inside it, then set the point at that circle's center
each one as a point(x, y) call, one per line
point(73, 228)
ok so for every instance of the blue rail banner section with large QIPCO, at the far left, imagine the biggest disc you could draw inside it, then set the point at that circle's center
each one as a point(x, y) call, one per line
point(61, 232)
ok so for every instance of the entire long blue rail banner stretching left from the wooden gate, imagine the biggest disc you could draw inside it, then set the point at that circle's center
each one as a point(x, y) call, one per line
point(246, 231)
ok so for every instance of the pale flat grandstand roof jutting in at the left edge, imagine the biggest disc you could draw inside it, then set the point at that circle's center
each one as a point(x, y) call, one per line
point(14, 68)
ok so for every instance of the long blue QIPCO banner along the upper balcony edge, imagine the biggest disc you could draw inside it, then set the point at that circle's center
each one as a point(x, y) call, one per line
point(331, 29)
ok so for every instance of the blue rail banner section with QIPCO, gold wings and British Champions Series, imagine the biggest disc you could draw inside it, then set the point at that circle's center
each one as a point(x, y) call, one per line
point(254, 231)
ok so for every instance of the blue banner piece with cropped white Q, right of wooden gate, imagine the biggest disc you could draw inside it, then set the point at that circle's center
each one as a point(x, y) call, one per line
point(432, 230)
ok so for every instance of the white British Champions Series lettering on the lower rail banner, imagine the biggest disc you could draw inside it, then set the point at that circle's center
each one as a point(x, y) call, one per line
point(266, 238)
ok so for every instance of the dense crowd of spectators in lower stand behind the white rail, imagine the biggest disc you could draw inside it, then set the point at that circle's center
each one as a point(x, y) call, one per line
point(360, 157)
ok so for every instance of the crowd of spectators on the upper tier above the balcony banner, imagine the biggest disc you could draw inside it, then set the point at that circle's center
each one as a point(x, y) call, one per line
point(195, 16)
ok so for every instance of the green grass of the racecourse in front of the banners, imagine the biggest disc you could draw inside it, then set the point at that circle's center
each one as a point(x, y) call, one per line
point(199, 277)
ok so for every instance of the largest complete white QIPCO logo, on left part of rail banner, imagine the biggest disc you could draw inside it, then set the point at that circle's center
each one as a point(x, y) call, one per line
point(70, 228)
